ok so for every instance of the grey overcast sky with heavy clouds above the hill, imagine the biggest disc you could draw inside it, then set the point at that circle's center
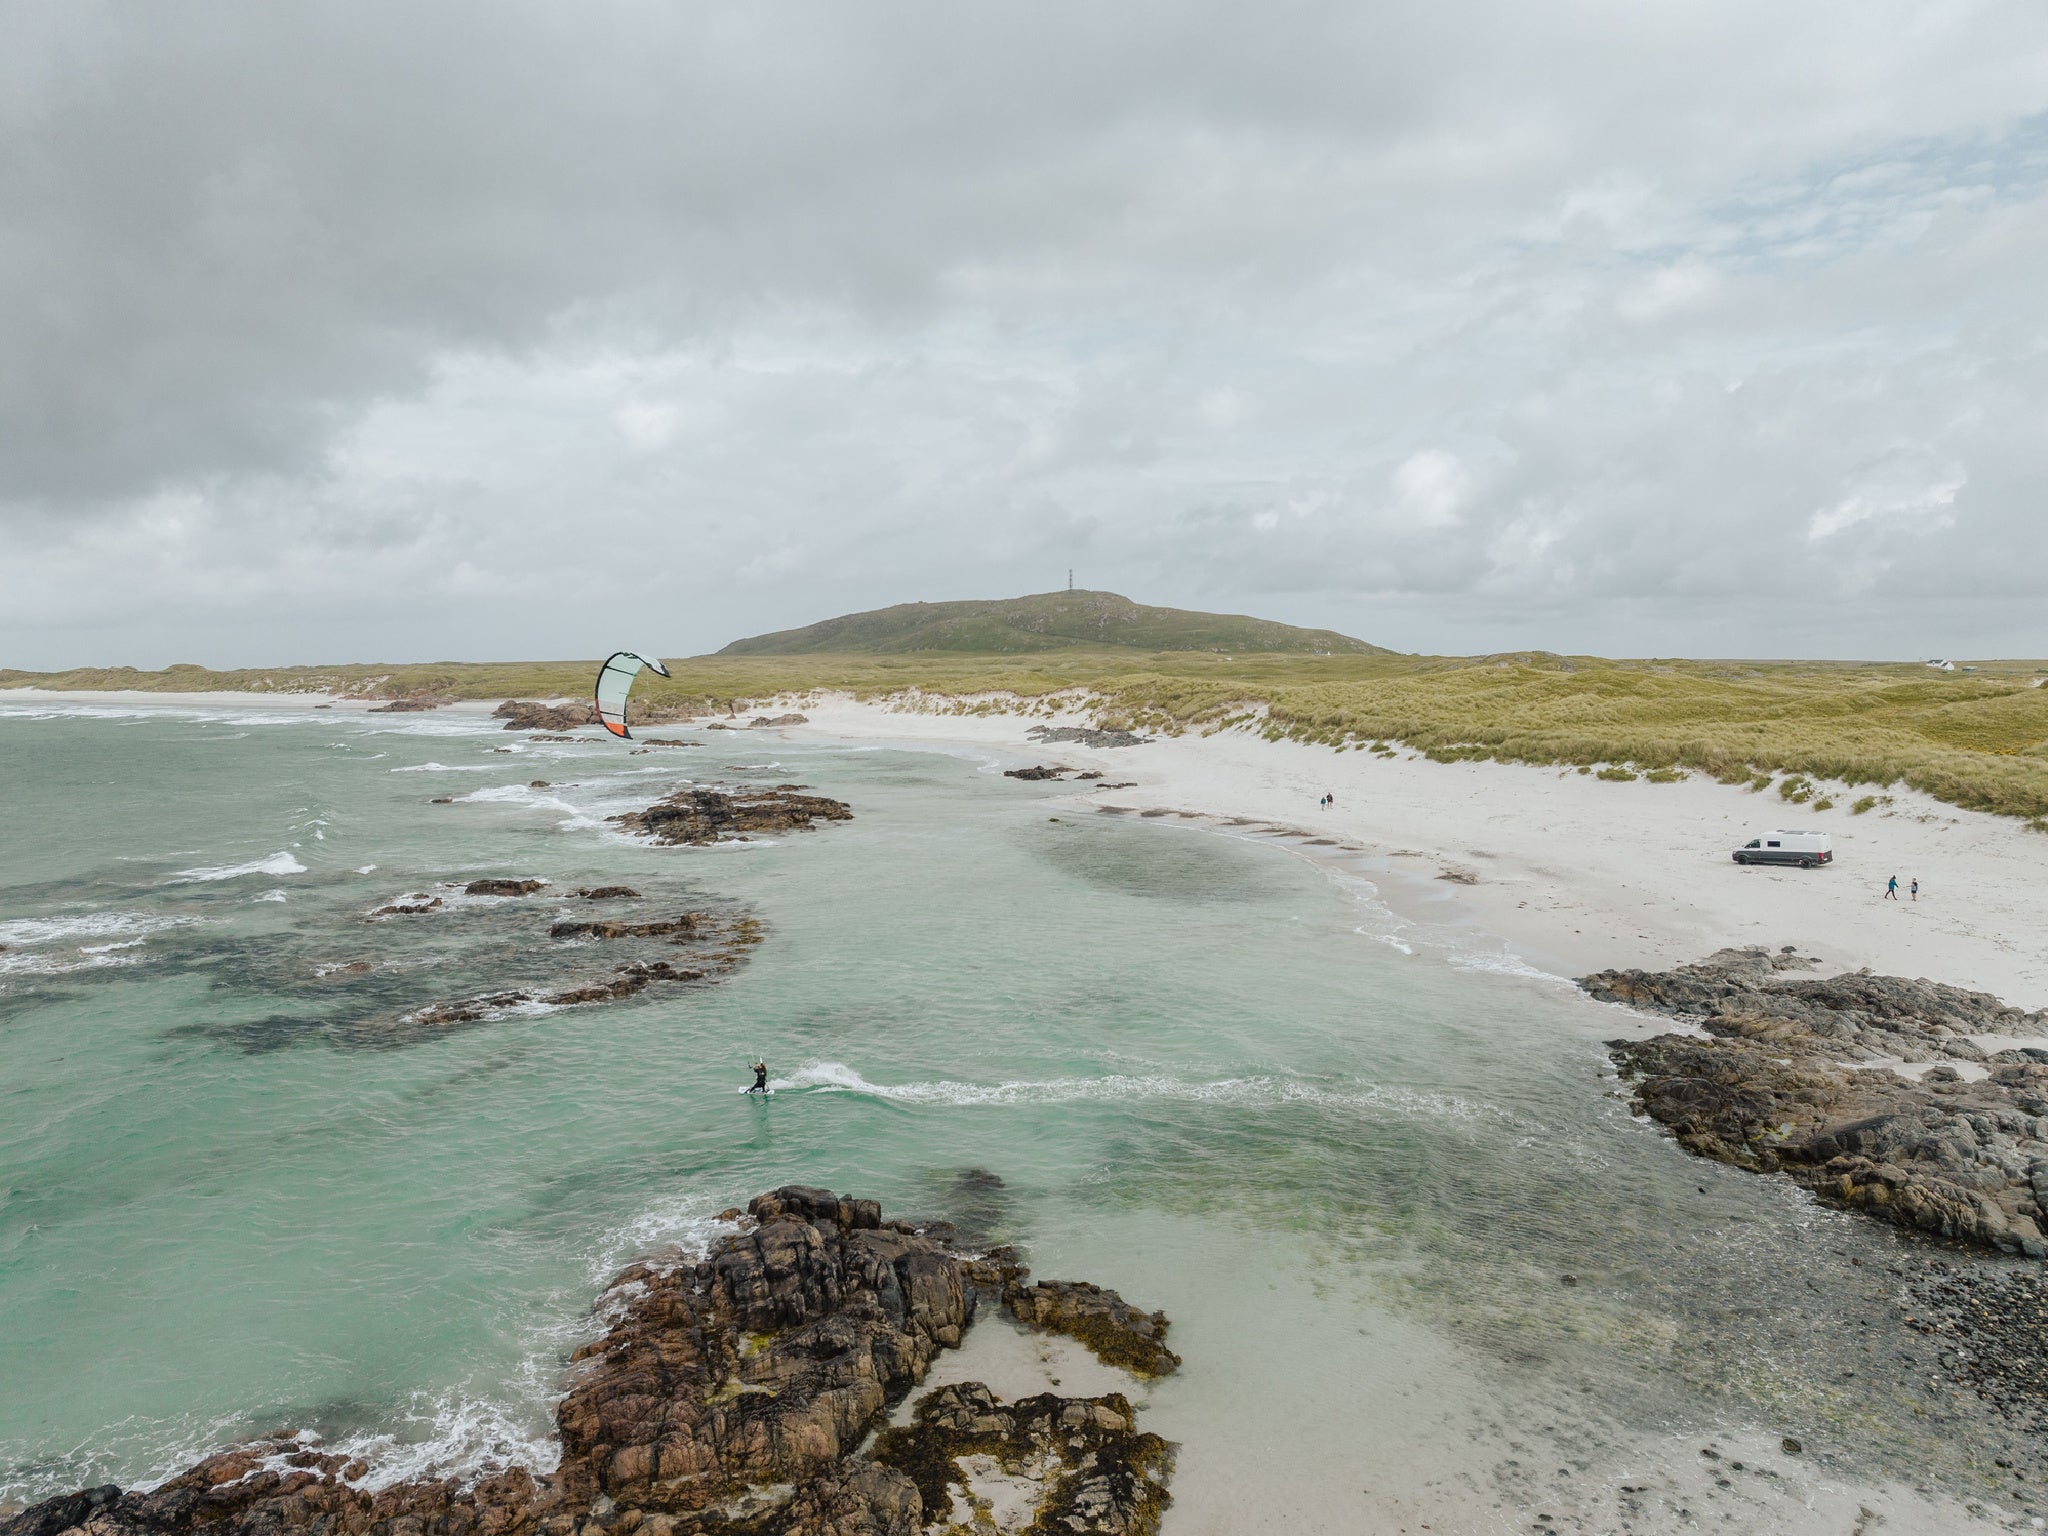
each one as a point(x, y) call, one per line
point(507, 331)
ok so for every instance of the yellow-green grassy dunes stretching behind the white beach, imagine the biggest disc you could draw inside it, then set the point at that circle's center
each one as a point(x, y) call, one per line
point(1975, 740)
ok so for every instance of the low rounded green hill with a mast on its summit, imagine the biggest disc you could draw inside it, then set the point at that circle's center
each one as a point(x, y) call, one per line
point(1050, 622)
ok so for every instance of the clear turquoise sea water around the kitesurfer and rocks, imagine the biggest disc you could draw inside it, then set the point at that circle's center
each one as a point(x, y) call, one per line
point(239, 1189)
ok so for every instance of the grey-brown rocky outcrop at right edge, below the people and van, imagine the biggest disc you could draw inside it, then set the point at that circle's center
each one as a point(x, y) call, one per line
point(1773, 1089)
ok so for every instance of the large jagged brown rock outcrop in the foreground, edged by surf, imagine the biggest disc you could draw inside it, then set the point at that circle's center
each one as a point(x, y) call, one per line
point(728, 1396)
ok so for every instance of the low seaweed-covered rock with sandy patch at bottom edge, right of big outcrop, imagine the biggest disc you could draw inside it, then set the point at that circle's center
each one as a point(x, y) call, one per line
point(1093, 1469)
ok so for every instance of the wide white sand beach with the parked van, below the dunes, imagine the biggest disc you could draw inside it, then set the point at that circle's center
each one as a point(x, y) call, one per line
point(1576, 873)
